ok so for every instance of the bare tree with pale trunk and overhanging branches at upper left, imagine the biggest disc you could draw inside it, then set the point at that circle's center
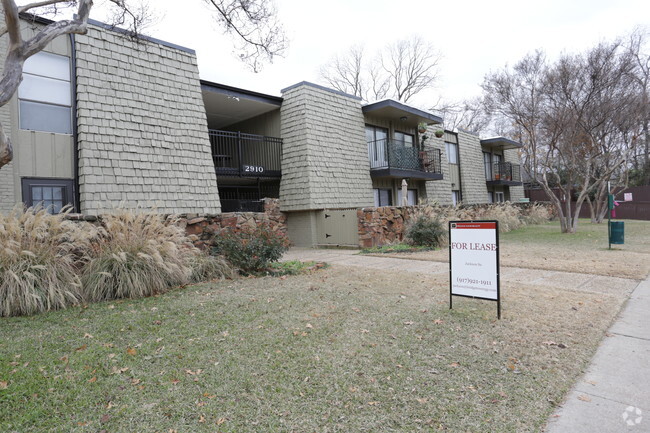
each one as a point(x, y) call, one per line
point(253, 21)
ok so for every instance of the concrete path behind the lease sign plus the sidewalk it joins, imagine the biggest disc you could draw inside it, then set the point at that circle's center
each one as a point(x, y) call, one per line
point(614, 394)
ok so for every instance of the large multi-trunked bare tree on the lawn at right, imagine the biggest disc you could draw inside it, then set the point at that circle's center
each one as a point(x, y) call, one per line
point(575, 118)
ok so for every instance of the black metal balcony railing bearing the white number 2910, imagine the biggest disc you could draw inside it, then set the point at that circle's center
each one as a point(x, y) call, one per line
point(248, 155)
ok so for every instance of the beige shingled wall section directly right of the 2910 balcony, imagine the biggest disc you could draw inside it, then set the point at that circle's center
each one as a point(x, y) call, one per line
point(325, 156)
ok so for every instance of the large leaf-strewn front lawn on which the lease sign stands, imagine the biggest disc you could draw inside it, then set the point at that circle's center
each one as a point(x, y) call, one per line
point(337, 350)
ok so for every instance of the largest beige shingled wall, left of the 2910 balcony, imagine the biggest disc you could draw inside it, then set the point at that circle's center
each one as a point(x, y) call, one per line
point(143, 136)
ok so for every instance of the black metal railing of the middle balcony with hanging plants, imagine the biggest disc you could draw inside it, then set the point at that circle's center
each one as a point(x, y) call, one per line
point(386, 154)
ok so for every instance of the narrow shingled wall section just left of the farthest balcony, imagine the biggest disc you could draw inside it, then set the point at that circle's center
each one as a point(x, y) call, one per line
point(472, 170)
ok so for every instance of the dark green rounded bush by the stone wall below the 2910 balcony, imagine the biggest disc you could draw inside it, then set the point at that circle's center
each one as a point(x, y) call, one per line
point(251, 250)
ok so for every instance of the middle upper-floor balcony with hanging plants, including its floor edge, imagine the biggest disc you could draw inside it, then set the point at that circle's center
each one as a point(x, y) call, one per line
point(394, 160)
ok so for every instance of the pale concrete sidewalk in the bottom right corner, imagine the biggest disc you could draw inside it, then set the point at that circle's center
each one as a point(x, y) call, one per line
point(614, 394)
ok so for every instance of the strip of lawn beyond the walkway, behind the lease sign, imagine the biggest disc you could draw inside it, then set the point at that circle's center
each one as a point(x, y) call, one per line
point(545, 247)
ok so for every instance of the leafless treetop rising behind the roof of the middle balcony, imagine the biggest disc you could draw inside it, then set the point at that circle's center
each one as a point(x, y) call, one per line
point(400, 71)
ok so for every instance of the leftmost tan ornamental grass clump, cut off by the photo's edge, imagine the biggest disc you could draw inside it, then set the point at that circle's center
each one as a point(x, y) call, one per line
point(40, 255)
